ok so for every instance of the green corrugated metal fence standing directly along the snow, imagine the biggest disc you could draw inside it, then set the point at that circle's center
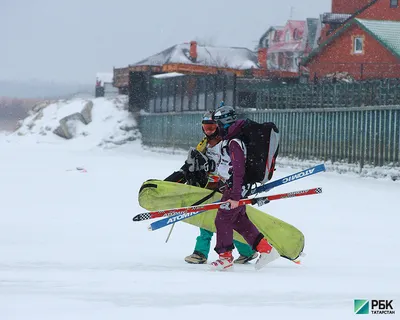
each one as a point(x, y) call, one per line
point(367, 135)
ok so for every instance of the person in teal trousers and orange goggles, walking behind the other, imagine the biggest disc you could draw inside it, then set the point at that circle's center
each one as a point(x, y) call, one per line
point(196, 162)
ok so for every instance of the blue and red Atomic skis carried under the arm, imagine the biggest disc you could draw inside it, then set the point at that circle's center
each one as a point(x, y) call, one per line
point(177, 214)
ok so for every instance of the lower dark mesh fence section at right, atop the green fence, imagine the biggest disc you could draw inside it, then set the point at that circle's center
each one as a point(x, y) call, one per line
point(324, 95)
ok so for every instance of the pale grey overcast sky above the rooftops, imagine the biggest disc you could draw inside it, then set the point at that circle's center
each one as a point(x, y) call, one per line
point(71, 40)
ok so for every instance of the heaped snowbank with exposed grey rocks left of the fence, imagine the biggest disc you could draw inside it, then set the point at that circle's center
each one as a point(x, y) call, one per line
point(103, 122)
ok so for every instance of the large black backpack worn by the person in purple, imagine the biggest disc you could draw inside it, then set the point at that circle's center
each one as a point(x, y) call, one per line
point(262, 144)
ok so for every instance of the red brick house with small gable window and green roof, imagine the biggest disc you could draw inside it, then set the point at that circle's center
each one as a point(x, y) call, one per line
point(362, 49)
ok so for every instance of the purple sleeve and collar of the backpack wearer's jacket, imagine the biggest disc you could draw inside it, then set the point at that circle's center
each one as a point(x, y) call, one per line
point(238, 160)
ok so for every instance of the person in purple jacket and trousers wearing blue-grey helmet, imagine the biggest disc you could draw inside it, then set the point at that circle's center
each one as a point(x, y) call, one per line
point(232, 171)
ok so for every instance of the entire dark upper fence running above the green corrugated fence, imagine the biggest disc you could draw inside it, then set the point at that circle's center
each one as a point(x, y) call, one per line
point(160, 93)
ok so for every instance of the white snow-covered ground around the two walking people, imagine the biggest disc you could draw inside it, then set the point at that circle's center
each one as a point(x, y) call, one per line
point(69, 249)
